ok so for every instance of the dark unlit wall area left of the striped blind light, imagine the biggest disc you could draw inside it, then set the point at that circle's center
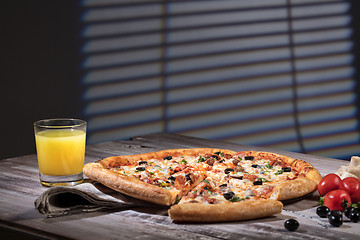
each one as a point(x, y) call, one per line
point(39, 68)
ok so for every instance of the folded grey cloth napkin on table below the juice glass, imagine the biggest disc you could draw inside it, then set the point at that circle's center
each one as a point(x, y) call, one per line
point(85, 197)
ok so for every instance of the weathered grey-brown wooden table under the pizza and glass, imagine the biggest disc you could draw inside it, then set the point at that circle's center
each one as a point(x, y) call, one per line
point(19, 187)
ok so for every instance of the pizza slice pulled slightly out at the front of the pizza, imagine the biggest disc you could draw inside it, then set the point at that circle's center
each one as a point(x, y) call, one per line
point(211, 201)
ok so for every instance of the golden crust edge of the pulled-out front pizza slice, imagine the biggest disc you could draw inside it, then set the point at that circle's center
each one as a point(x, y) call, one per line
point(244, 210)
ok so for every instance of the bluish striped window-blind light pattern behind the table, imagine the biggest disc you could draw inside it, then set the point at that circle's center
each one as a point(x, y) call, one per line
point(275, 73)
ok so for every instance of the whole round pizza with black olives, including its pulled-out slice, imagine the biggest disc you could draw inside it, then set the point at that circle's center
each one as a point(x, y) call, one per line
point(208, 184)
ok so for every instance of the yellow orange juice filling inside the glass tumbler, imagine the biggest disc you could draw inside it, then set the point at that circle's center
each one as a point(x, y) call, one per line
point(60, 152)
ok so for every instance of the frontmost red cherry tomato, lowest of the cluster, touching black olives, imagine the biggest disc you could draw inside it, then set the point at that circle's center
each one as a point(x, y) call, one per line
point(337, 200)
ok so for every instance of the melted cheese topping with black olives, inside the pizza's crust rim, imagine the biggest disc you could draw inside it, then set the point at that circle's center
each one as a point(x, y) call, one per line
point(231, 179)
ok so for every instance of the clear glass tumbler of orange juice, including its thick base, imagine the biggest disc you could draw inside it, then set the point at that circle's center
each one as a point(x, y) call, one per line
point(60, 146)
